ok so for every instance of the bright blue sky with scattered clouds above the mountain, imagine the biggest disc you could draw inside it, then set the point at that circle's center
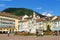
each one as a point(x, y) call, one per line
point(40, 6)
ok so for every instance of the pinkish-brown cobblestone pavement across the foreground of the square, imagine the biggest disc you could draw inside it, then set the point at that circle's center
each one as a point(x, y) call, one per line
point(17, 37)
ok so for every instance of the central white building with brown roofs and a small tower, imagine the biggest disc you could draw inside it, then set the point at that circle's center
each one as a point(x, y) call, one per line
point(30, 24)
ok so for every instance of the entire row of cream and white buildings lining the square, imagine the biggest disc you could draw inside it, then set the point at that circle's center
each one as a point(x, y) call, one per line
point(27, 23)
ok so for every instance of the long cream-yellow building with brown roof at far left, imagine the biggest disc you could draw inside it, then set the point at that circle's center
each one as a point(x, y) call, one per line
point(8, 22)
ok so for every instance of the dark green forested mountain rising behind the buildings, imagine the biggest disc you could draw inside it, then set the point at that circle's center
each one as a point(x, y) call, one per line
point(21, 11)
